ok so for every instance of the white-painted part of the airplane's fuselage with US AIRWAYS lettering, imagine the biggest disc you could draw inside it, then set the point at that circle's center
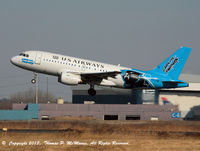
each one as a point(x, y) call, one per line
point(56, 64)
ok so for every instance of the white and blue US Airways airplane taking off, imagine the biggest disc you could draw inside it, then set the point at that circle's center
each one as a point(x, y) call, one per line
point(74, 71)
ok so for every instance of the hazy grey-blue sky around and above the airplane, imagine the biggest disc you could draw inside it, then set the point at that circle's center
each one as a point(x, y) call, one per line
point(134, 33)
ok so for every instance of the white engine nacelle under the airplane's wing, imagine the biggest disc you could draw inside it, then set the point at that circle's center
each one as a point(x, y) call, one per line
point(69, 79)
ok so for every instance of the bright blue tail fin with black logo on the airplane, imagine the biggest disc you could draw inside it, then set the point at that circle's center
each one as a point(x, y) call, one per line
point(173, 65)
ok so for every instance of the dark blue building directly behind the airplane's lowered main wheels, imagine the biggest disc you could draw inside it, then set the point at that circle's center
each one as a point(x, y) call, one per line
point(114, 96)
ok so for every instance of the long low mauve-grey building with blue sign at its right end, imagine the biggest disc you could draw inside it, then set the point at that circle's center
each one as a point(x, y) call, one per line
point(107, 111)
